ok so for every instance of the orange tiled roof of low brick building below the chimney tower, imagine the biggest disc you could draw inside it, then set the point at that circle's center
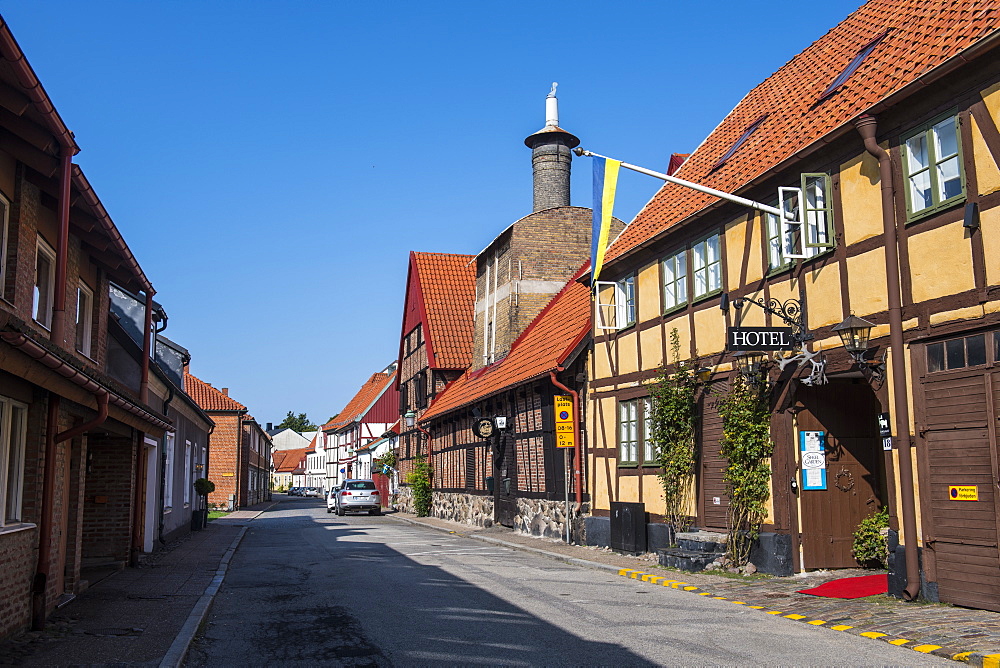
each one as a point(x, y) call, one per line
point(547, 342)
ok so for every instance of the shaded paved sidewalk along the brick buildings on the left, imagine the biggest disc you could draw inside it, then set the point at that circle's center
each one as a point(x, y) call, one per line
point(136, 615)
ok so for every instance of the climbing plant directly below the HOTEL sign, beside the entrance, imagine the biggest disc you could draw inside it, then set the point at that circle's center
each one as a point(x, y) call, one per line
point(746, 446)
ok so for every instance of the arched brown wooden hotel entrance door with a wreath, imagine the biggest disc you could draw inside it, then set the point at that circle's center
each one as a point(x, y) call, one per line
point(847, 411)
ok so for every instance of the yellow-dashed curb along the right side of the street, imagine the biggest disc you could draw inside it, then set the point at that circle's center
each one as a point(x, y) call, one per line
point(976, 659)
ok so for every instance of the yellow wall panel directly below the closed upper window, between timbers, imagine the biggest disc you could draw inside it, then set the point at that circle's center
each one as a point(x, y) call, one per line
point(940, 262)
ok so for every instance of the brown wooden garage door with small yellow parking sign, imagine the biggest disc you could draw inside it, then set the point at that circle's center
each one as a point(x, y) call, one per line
point(958, 426)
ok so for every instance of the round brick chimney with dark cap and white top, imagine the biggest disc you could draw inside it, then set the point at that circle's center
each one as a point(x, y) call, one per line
point(551, 157)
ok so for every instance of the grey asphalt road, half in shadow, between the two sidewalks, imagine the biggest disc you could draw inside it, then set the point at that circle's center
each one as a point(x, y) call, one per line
point(309, 588)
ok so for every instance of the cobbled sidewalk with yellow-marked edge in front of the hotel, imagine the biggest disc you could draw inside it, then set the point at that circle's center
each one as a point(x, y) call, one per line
point(970, 636)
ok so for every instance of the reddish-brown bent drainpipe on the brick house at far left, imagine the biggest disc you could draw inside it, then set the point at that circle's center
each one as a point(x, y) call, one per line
point(52, 438)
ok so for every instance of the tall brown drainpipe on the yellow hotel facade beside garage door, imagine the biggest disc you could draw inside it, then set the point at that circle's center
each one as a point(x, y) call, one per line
point(866, 126)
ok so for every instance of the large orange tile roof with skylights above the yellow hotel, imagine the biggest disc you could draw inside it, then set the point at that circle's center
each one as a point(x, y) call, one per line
point(922, 35)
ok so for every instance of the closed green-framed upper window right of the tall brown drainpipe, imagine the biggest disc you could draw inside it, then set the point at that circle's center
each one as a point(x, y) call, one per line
point(932, 166)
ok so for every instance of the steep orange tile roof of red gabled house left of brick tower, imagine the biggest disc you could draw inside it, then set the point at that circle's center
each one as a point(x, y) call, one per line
point(448, 285)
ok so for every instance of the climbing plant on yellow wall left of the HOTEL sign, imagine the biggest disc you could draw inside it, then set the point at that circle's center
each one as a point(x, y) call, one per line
point(673, 425)
